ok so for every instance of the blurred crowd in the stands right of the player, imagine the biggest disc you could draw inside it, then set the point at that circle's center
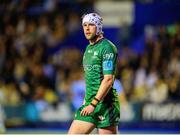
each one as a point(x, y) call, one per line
point(153, 75)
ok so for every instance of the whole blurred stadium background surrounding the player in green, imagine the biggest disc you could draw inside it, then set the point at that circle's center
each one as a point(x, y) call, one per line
point(41, 76)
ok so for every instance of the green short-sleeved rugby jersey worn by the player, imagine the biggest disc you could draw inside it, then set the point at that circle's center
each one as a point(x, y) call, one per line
point(98, 60)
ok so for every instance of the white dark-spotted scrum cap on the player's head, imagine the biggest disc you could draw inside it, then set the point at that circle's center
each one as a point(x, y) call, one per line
point(93, 18)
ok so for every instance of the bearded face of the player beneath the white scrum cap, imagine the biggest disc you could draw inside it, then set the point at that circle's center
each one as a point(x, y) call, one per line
point(89, 30)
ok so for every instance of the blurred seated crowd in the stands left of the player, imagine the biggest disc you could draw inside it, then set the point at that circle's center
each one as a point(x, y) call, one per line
point(29, 75)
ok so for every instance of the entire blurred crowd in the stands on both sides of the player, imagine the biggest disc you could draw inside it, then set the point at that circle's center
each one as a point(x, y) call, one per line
point(29, 75)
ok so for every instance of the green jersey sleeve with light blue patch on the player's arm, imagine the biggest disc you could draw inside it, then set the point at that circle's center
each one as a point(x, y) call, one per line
point(109, 56)
